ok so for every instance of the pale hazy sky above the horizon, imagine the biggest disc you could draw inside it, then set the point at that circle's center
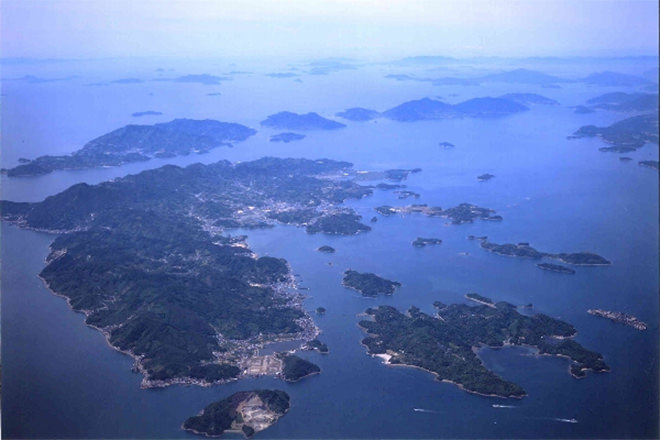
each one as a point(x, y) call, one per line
point(377, 28)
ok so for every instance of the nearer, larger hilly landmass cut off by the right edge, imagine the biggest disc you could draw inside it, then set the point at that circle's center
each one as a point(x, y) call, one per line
point(625, 135)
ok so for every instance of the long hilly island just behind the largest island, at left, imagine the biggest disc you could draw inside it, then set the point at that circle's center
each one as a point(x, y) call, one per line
point(134, 143)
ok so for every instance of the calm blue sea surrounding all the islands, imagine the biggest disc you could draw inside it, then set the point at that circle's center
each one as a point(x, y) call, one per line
point(60, 379)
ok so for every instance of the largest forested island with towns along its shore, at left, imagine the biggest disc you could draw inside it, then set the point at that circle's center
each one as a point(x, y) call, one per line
point(146, 258)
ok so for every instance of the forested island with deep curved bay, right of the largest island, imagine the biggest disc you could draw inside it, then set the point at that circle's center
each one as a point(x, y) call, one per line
point(447, 344)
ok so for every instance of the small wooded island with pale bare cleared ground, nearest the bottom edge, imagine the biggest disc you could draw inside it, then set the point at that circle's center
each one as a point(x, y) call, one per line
point(245, 411)
